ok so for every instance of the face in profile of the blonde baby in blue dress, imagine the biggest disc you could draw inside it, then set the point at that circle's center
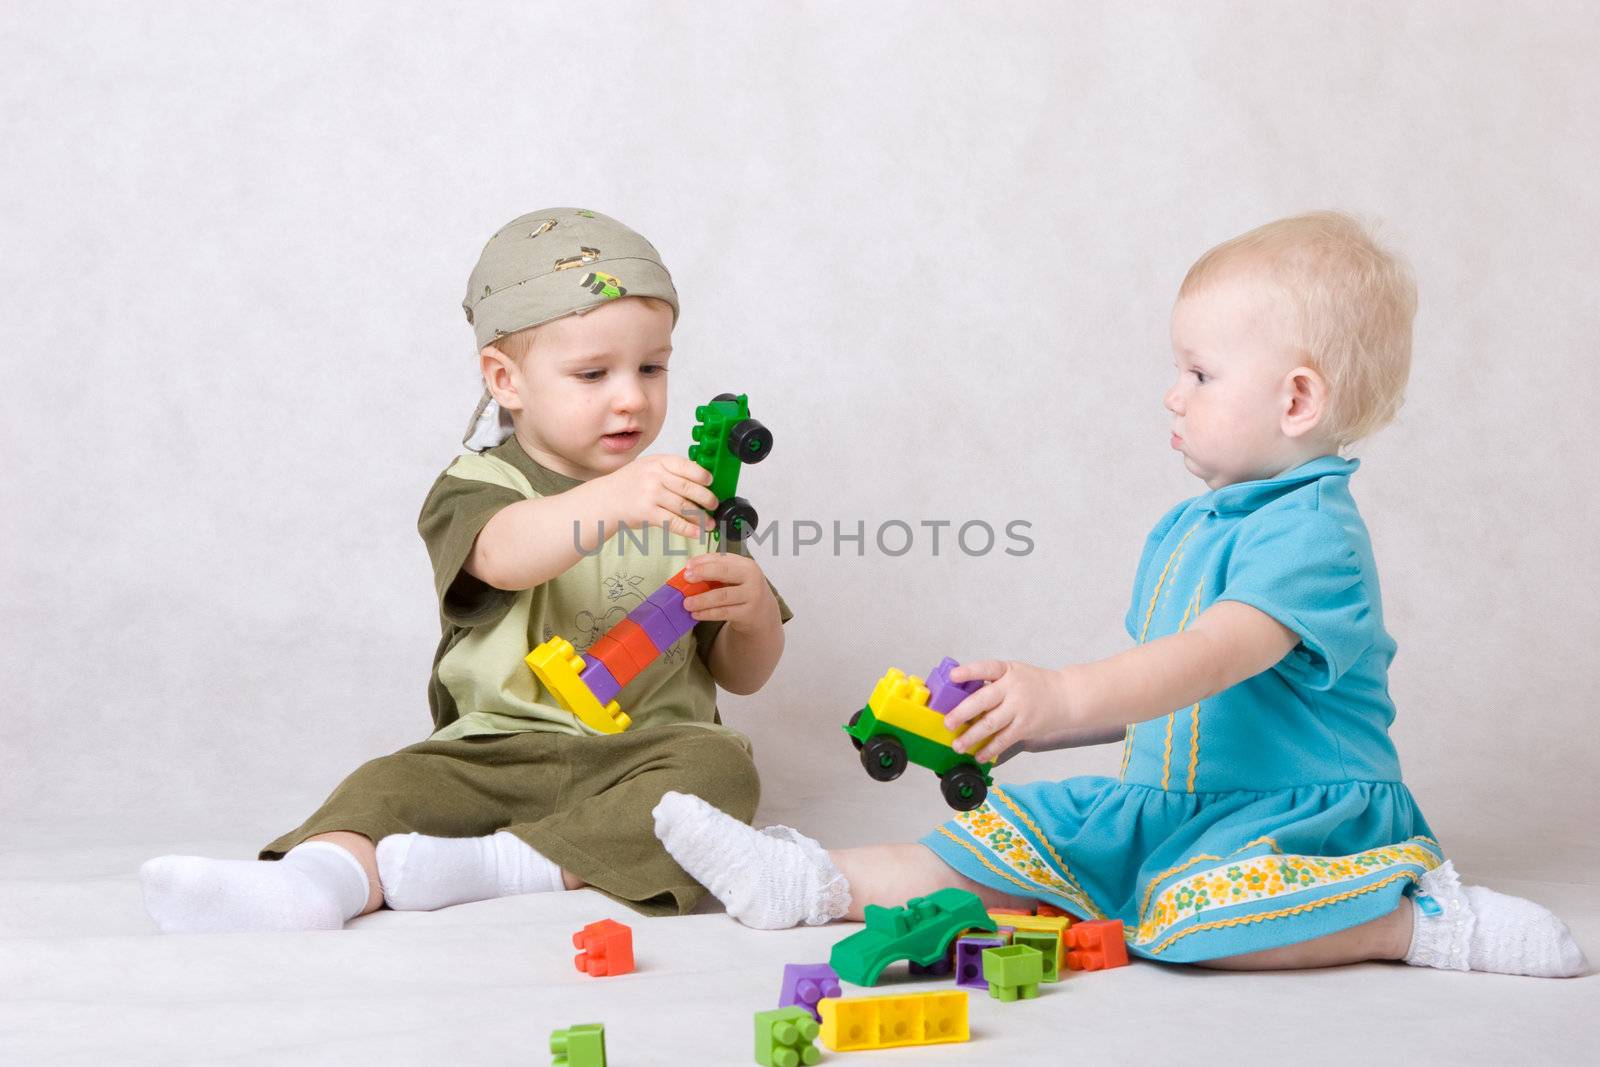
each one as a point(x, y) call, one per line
point(1234, 386)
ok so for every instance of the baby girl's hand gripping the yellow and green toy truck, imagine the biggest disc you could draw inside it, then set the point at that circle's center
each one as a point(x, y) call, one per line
point(1022, 706)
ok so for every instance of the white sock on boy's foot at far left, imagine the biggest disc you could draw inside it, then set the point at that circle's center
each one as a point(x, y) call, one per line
point(318, 885)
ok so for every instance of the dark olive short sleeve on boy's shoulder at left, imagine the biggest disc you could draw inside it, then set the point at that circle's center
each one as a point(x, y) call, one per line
point(454, 514)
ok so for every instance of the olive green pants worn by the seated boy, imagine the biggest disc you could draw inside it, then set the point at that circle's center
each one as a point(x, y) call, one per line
point(582, 802)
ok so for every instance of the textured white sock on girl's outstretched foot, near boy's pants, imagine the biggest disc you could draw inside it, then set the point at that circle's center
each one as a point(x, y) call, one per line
point(767, 879)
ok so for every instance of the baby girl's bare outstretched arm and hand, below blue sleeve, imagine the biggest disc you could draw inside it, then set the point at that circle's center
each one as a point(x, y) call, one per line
point(1054, 709)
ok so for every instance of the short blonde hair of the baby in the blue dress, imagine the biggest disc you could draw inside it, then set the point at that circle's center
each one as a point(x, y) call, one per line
point(1351, 302)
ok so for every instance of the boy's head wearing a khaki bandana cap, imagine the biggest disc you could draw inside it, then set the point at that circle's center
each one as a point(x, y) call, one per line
point(574, 316)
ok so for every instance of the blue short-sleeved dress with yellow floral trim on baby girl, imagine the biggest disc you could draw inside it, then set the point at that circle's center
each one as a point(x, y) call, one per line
point(1266, 815)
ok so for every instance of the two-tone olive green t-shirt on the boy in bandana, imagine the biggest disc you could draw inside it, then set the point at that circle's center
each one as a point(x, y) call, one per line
point(481, 684)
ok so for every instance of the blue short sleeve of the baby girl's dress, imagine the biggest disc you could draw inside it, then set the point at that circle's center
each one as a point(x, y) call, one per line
point(1300, 569)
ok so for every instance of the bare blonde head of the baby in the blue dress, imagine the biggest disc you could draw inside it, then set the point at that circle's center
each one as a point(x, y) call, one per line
point(1292, 342)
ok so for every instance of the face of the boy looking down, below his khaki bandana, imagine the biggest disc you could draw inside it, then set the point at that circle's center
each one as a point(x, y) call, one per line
point(593, 393)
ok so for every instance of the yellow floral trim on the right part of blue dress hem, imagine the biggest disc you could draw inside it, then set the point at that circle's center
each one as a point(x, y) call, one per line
point(1266, 879)
